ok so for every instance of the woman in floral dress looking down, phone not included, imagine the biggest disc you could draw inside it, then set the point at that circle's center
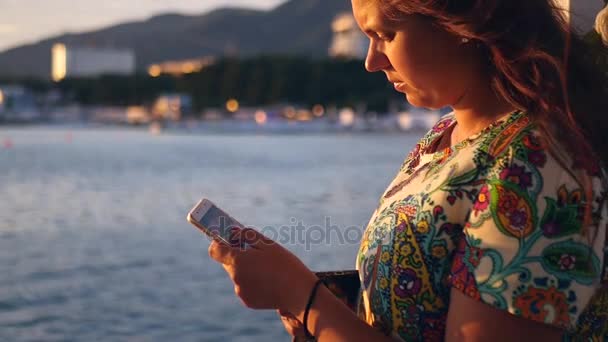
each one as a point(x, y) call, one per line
point(494, 227)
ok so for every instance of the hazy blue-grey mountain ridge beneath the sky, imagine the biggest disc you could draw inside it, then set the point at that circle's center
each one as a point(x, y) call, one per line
point(295, 27)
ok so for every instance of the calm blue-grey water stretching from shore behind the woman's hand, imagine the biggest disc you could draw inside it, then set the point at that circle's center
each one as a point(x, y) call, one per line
point(93, 239)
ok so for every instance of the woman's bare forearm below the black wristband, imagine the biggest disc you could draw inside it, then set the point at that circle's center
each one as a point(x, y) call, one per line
point(329, 319)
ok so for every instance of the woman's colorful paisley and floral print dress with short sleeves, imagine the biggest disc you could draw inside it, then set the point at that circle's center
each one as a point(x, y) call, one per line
point(494, 216)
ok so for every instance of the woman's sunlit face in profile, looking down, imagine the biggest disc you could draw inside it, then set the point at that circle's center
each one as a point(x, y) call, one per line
point(432, 68)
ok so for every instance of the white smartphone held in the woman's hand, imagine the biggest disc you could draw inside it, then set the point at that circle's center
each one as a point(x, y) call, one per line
point(213, 221)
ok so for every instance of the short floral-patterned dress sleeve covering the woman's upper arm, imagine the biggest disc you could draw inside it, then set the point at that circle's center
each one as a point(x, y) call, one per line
point(522, 250)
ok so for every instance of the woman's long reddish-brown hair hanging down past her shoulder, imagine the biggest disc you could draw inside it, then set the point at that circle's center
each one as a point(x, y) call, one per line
point(536, 63)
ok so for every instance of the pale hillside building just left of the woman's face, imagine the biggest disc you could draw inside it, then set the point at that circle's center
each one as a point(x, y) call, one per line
point(348, 40)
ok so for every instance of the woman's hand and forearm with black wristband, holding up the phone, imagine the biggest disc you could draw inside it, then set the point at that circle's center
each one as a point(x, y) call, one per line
point(267, 276)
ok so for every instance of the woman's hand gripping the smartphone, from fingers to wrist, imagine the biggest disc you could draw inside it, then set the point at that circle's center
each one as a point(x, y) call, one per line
point(265, 275)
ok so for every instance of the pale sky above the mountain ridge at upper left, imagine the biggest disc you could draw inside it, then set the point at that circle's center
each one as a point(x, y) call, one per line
point(27, 21)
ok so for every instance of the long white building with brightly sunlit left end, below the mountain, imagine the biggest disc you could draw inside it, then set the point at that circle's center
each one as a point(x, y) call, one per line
point(68, 61)
